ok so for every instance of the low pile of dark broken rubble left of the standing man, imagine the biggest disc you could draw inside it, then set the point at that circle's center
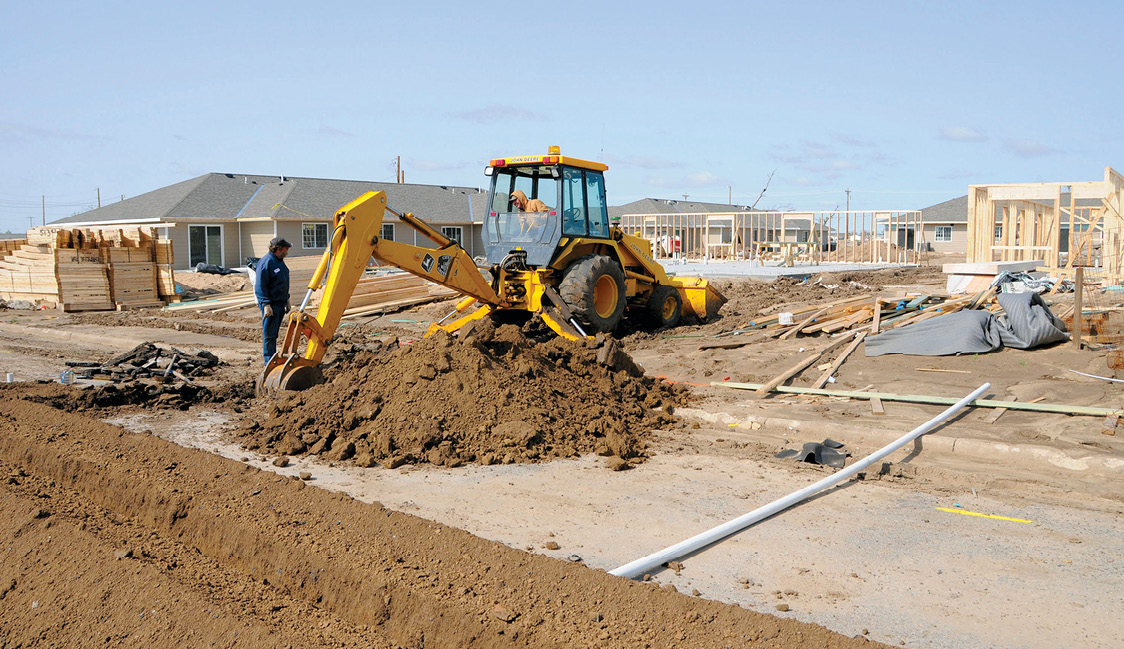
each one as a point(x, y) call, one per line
point(147, 360)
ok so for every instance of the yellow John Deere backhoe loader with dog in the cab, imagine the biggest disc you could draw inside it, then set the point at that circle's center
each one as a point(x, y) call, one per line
point(565, 264)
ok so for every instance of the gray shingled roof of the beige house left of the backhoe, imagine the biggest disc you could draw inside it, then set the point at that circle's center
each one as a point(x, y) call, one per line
point(229, 196)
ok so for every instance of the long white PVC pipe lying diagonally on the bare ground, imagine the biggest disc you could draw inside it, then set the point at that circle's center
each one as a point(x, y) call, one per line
point(645, 565)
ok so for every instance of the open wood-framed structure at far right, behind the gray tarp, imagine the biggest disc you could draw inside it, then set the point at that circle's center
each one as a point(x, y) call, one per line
point(1066, 226)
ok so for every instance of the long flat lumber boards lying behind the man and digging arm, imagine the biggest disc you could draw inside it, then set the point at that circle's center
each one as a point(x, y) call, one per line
point(377, 294)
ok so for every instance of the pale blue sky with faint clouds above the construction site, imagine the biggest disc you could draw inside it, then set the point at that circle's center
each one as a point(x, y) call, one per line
point(904, 104)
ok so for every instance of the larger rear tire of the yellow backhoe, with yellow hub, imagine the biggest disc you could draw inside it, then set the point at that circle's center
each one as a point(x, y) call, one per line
point(595, 289)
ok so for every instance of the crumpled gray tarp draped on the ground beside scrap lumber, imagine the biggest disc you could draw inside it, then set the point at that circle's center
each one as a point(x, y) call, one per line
point(1027, 323)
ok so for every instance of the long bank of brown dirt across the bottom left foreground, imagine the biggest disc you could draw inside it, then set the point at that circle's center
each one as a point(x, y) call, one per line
point(128, 540)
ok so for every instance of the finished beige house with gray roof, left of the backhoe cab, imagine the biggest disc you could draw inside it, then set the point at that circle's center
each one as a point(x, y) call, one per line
point(223, 219)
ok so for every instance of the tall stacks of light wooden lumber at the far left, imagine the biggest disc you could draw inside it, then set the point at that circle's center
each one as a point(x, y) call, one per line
point(88, 269)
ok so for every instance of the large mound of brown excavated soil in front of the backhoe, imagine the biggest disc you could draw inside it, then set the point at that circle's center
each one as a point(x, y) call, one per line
point(493, 396)
